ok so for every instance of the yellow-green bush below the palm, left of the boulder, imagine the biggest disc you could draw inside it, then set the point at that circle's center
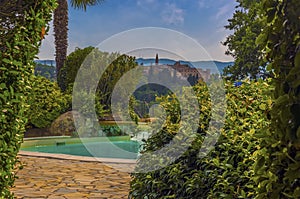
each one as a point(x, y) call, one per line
point(47, 102)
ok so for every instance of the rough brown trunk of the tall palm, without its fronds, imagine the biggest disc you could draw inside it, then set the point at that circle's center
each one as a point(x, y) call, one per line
point(61, 33)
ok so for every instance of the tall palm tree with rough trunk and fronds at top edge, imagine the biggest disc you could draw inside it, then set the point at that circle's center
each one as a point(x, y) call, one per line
point(61, 27)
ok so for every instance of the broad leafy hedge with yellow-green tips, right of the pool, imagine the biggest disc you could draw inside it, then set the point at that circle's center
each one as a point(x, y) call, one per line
point(226, 172)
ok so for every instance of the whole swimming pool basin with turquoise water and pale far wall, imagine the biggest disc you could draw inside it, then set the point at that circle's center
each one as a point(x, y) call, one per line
point(126, 149)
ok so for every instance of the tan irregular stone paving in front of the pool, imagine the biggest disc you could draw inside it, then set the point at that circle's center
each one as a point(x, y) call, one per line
point(46, 177)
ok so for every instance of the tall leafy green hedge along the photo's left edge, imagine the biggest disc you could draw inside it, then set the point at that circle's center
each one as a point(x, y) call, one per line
point(21, 23)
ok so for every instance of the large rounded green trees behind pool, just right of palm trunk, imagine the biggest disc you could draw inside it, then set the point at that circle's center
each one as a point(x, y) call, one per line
point(92, 62)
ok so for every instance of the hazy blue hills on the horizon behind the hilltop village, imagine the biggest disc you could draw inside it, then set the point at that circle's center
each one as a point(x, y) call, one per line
point(212, 65)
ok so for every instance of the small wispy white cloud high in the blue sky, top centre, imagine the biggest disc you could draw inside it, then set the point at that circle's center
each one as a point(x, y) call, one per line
point(172, 15)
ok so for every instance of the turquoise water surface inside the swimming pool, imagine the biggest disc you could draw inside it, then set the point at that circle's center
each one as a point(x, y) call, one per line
point(114, 149)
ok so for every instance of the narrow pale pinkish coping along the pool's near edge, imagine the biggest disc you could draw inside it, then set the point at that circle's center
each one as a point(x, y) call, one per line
point(76, 158)
